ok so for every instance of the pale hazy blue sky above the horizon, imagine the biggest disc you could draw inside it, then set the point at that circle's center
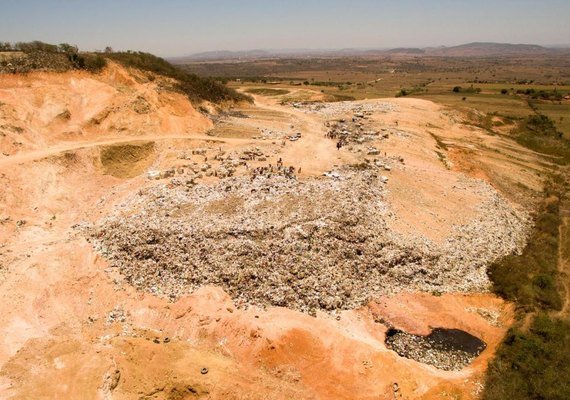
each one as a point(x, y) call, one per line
point(177, 27)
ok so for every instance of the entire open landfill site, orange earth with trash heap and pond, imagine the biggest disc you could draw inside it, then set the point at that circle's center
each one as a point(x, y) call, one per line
point(154, 249)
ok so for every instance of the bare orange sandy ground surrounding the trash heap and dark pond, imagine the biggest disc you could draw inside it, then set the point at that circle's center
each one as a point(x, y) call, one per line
point(72, 330)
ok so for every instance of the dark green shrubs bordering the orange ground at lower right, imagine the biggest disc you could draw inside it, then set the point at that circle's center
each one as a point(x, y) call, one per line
point(534, 362)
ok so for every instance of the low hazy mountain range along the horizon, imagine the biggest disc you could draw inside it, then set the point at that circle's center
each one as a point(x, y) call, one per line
point(476, 49)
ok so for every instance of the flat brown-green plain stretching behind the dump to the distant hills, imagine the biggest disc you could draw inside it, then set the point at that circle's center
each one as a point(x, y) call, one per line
point(430, 78)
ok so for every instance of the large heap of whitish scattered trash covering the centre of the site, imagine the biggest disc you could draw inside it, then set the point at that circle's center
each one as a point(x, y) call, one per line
point(267, 241)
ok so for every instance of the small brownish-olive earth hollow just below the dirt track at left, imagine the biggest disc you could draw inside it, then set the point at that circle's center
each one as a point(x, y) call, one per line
point(126, 160)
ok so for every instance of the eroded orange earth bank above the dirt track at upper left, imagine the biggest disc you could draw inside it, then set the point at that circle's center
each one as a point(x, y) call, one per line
point(39, 110)
